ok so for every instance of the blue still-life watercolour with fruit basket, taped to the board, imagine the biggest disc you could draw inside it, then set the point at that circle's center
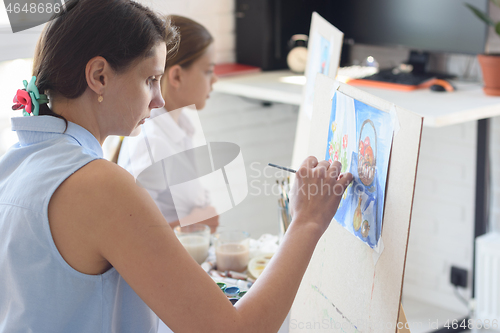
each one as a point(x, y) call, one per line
point(360, 137)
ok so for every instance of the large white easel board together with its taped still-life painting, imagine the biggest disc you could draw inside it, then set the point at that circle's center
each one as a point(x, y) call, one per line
point(349, 286)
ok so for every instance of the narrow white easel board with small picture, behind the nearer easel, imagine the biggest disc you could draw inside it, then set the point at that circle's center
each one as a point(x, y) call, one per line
point(323, 56)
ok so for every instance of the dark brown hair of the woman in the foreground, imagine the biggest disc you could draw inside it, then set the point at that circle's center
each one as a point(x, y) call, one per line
point(120, 31)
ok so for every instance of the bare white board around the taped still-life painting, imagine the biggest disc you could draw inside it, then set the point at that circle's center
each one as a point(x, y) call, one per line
point(345, 283)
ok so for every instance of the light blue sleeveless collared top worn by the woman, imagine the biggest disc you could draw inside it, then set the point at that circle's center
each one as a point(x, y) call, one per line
point(39, 291)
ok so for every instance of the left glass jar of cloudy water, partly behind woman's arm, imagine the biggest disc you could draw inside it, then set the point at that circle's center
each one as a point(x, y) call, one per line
point(196, 240)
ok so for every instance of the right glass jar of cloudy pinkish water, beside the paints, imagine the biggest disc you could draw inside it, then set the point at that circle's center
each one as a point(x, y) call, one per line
point(232, 250)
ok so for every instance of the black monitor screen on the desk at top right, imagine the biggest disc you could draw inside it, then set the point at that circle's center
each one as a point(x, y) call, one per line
point(428, 25)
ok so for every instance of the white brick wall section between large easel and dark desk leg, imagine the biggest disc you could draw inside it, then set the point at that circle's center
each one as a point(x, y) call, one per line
point(442, 226)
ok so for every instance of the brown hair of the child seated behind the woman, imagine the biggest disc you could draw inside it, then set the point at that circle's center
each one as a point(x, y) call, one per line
point(195, 39)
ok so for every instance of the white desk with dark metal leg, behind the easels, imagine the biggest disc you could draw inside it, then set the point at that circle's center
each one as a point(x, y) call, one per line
point(468, 103)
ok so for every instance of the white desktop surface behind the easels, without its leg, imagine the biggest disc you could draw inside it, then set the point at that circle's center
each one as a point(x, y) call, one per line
point(467, 103)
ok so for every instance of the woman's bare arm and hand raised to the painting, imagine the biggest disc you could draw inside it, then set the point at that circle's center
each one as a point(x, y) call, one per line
point(112, 221)
